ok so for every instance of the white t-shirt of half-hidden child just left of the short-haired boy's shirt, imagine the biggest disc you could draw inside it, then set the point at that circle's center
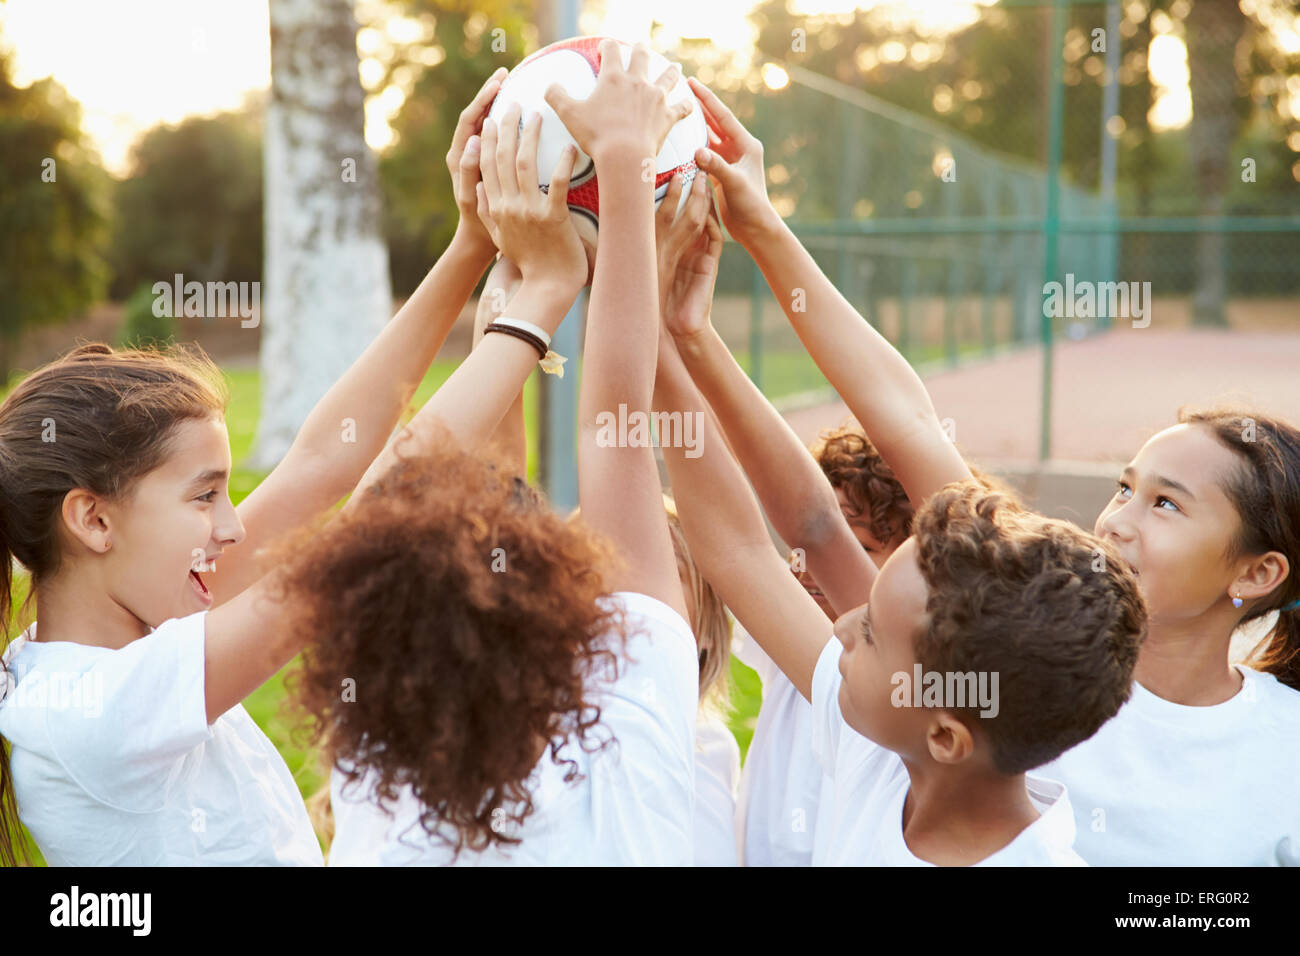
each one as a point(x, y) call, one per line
point(783, 785)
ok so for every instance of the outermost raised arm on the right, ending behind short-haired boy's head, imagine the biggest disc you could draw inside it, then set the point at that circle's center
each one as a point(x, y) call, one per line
point(876, 382)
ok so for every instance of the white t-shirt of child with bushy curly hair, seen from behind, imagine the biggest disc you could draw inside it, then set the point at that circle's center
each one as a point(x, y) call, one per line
point(636, 799)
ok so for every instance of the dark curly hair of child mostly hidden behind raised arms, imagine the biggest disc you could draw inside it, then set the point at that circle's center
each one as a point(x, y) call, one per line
point(852, 464)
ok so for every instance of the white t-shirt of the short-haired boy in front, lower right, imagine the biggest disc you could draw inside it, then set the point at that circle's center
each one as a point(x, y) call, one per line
point(872, 784)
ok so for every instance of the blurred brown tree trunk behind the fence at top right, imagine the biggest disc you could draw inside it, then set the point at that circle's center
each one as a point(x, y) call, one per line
point(1214, 31)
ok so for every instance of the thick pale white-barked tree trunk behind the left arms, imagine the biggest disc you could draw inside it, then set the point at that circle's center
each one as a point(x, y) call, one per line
point(327, 266)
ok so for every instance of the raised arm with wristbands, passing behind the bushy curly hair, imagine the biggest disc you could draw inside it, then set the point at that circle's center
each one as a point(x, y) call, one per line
point(245, 642)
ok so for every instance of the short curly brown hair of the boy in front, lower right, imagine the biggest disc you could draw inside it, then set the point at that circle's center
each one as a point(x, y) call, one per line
point(1050, 608)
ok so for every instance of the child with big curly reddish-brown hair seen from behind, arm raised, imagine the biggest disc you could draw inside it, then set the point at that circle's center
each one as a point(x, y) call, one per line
point(497, 686)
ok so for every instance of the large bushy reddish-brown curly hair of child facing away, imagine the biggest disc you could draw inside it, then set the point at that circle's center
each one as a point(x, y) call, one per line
point(456, 624)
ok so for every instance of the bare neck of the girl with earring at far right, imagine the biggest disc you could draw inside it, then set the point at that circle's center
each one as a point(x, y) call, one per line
point(1188, 663)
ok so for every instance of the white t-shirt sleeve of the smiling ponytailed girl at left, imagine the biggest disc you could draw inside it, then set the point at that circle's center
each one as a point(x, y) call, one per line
point(141, 711)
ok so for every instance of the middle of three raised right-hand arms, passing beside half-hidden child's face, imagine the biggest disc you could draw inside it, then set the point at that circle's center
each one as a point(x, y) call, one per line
point(795, 492)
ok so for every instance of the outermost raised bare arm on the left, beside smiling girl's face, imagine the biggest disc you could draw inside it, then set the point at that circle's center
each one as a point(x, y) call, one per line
point(320, 468)
